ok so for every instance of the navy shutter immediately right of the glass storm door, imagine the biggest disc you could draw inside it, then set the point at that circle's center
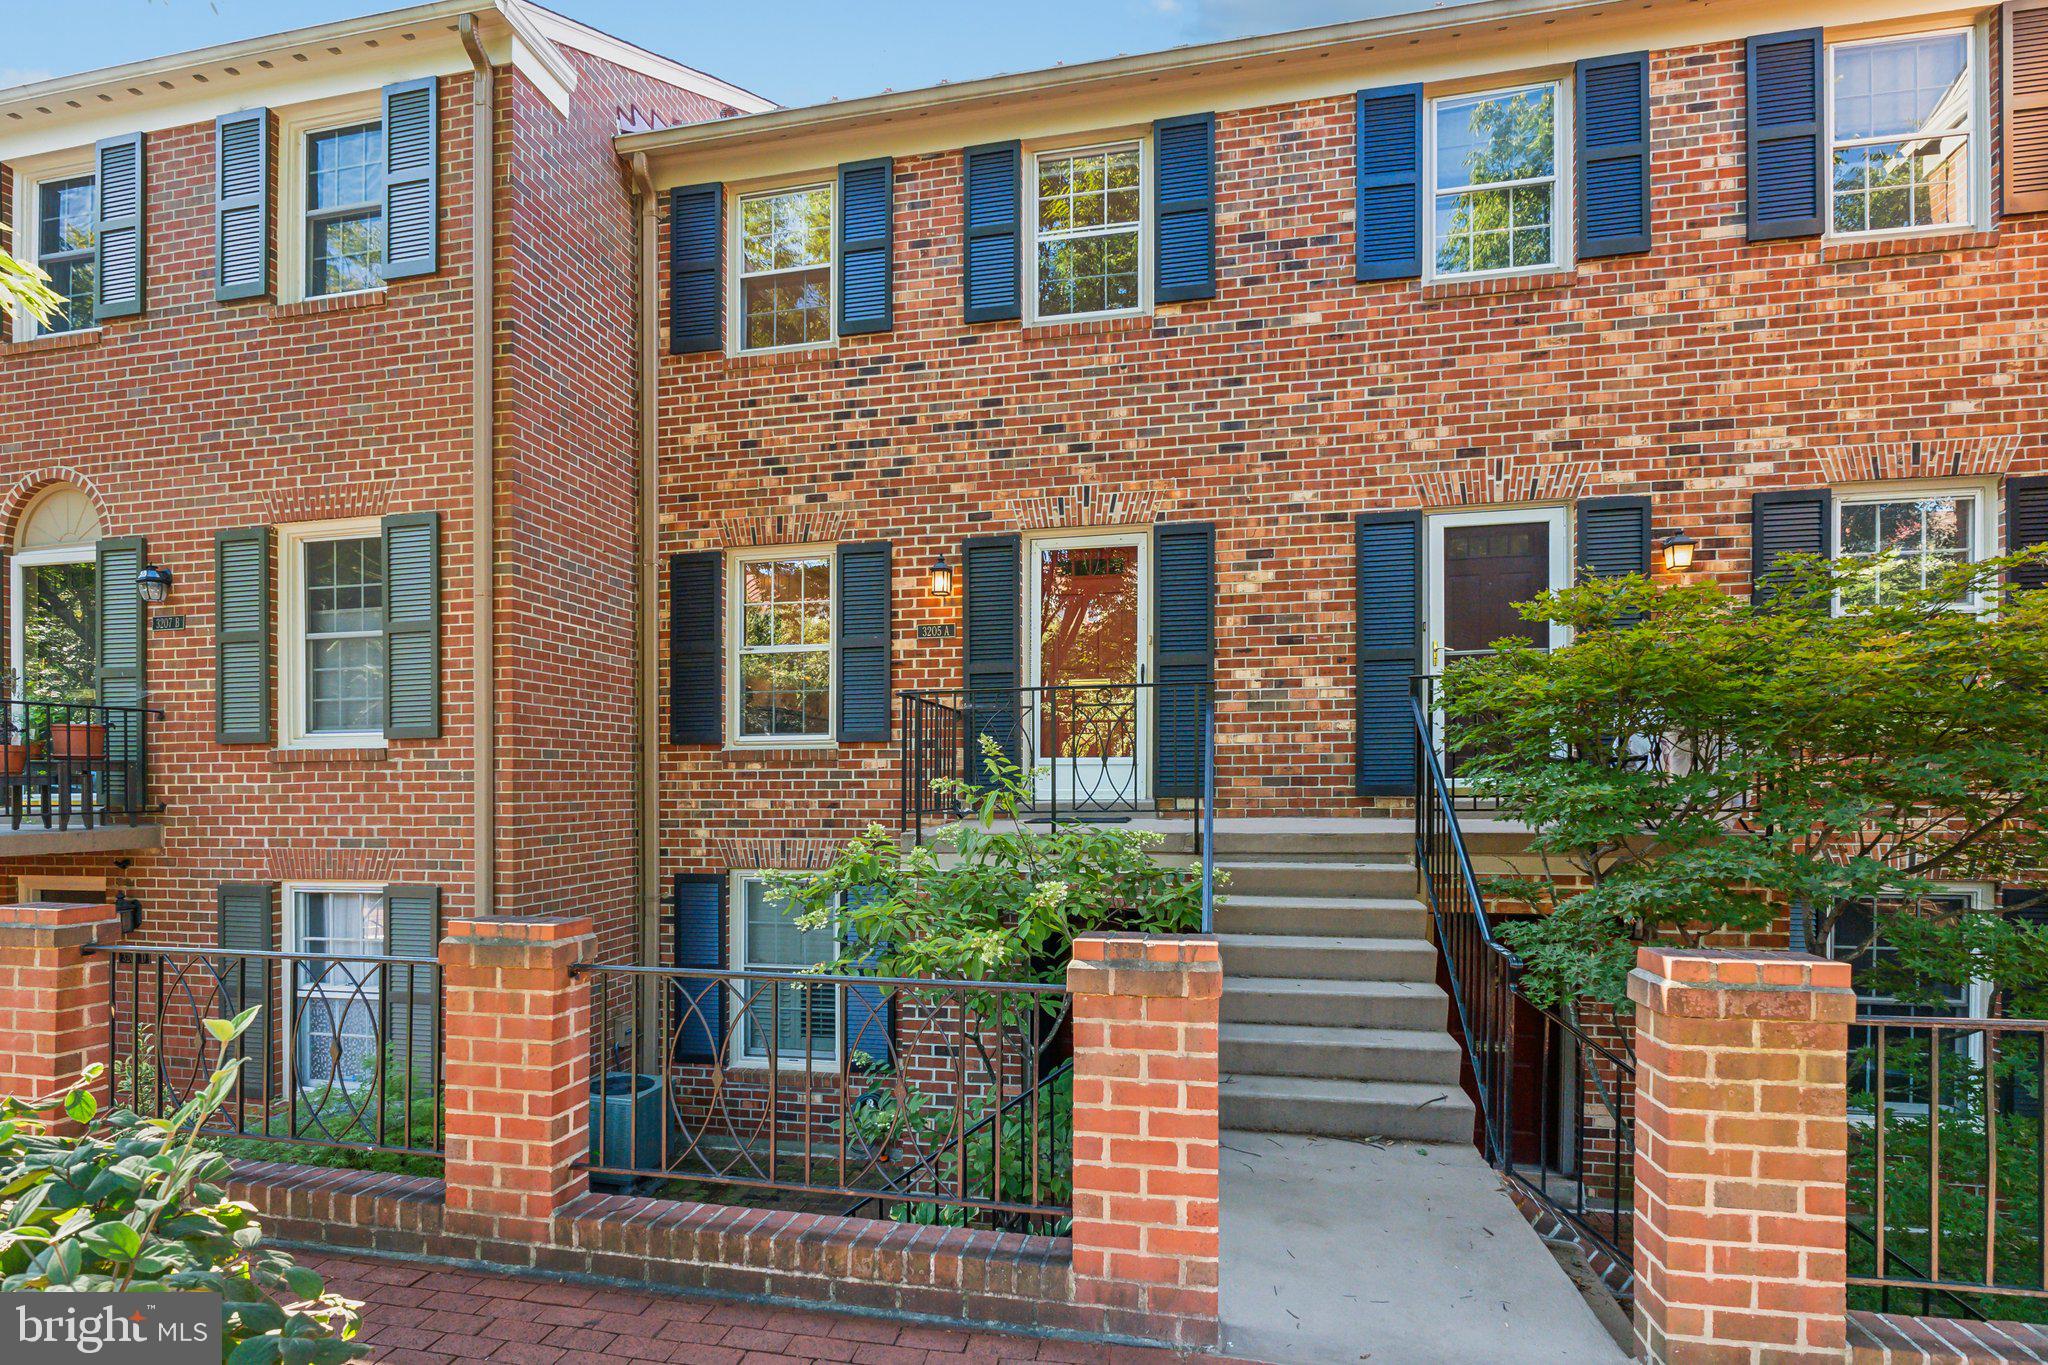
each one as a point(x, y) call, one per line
point(1185, 642)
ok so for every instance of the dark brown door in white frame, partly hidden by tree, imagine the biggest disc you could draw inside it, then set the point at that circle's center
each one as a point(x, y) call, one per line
point(1482, 566)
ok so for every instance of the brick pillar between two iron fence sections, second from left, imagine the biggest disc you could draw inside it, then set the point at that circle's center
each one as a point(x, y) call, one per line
point(517, 1073)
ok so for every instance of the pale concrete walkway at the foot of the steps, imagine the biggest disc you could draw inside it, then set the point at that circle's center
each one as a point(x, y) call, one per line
point(1402, 1253)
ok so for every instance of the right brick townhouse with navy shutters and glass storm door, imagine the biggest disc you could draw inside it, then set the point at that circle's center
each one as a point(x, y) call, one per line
point(1287, 367)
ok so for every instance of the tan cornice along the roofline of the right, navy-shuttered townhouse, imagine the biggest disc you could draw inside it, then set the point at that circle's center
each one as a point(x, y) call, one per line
point(1435, 48)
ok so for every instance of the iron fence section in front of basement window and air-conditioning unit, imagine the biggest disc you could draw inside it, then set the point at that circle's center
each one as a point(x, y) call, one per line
point(921, 1100)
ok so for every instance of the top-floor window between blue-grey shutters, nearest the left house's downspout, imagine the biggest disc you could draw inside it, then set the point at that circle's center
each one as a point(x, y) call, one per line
point(331, 197)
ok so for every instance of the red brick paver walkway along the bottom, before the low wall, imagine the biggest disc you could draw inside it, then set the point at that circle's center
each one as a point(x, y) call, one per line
point(427, 1315)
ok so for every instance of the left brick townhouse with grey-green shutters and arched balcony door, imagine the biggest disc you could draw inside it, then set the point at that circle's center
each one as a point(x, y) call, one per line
point(349, 312)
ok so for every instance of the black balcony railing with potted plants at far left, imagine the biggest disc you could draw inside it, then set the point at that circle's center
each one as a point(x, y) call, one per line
point(65, 762)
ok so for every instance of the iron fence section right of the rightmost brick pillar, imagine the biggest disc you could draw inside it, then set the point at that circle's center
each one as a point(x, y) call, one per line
point(1949, 1165)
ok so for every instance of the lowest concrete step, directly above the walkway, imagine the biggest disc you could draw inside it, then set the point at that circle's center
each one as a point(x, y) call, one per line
point(1349, 1108)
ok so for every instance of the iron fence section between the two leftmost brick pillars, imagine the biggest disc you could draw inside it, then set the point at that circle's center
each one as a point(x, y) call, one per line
point(343, 1055)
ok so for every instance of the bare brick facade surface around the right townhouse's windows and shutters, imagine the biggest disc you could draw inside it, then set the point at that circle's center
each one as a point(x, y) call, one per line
point(1297, 398)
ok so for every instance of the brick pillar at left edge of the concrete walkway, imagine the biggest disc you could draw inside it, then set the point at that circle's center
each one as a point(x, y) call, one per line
point(1146, 1147)
